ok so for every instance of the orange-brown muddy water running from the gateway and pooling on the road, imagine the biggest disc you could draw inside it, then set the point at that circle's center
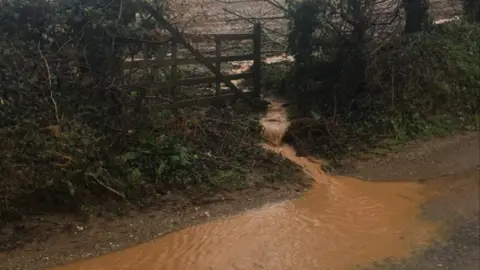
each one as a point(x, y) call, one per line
point(339, 223)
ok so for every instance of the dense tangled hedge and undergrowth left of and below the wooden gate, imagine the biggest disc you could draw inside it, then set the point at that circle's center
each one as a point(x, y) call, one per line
point(71, 134)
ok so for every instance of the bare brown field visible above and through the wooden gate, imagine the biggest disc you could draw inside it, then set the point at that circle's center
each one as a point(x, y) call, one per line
point(238, 16)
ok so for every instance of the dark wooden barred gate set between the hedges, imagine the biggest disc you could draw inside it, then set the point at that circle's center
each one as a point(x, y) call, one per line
point(174, 61)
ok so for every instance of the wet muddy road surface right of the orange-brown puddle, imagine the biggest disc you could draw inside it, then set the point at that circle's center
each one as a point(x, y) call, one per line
point(452, 165)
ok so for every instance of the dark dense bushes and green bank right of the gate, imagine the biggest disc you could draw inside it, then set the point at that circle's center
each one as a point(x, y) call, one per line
point(353, 93)
